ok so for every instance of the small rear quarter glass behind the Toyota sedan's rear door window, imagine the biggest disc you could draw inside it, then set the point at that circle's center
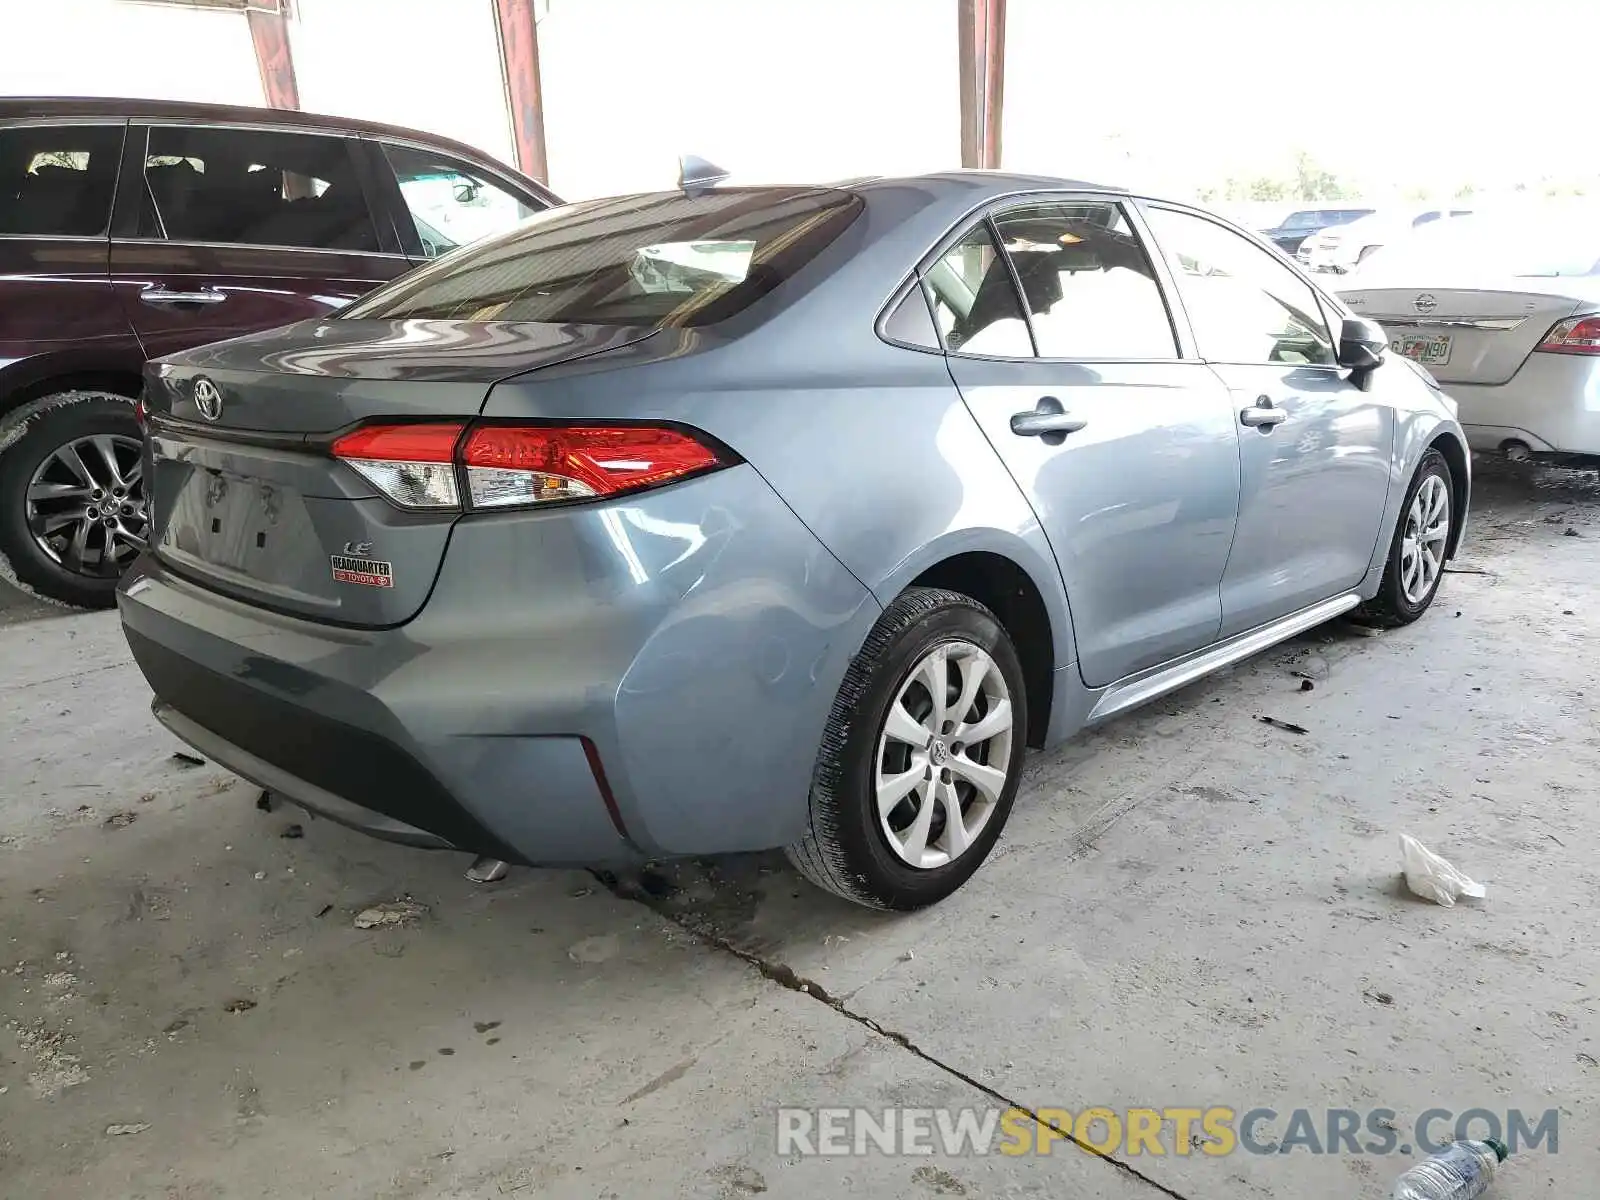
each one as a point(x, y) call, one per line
point(975, 302)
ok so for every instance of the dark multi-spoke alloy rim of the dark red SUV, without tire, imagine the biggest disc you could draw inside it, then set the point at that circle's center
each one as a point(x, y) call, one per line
point(86, 505)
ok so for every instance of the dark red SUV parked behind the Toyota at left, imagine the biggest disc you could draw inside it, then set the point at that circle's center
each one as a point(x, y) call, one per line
point(130, 230)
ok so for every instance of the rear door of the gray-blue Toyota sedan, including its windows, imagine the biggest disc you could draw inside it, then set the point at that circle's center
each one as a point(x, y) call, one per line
point(1126, 450)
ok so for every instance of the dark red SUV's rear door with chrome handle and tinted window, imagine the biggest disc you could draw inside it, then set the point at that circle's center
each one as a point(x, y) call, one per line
point(226, 231)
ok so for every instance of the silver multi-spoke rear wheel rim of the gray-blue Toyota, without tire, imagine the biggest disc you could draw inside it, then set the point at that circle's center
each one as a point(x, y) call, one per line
point(943, 754)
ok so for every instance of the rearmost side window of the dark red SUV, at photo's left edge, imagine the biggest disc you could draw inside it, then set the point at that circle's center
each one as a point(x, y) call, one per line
point(58, 180)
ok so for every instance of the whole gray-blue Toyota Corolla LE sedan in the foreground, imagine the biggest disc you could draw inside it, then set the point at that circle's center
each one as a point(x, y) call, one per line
point(732, 519)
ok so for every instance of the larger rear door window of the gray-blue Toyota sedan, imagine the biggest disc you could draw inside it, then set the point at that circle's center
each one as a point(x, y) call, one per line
point(1089, 286)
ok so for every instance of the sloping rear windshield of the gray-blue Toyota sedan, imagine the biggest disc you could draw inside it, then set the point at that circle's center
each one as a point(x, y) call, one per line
point(660, 260)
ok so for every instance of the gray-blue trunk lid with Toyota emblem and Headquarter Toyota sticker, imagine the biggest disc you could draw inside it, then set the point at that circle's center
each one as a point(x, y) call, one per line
point(247, 497)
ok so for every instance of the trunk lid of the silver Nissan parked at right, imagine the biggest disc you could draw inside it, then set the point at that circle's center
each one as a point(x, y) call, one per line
point(1473, 335)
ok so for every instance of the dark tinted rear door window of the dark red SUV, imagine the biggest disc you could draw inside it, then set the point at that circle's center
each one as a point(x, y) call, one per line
point(254, 188)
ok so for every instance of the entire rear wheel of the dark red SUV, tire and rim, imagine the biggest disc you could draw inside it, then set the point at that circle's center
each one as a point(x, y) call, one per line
point(73, 511)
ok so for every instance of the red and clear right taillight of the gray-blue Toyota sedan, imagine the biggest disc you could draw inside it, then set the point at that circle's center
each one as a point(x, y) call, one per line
point(513, 466)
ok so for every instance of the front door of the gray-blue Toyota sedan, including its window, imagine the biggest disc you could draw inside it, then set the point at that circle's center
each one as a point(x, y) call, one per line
point(1314, 447)
